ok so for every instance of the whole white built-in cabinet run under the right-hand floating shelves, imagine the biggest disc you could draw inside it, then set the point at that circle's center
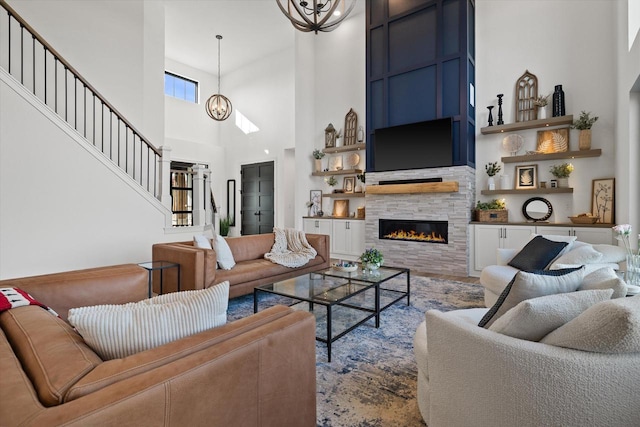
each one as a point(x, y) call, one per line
point(487, 238)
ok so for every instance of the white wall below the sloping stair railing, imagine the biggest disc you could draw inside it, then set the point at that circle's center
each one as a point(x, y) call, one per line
point(62, 207)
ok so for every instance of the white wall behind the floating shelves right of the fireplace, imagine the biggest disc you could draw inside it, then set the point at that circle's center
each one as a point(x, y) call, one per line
point(573, 47)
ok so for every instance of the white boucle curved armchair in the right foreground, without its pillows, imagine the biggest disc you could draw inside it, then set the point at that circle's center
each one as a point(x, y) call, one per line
point(471, 376)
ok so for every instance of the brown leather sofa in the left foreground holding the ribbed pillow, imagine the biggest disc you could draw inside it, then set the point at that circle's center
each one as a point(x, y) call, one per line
point(257, 371)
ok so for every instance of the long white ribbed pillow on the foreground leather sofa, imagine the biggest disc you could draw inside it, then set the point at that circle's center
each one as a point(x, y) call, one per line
point(116, 331)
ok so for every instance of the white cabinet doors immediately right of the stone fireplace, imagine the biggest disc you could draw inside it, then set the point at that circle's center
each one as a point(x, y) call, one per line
point(488, 238)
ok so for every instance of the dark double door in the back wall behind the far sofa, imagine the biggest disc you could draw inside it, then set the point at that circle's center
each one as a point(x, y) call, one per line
point(256, 206)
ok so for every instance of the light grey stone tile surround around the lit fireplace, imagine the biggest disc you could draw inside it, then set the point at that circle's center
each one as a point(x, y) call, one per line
point(454, 207)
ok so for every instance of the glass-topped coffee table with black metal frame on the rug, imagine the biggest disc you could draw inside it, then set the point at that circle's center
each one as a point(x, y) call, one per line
point(346, 299)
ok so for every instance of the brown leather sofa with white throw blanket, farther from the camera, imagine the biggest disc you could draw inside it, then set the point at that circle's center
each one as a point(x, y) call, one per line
point(198, 266)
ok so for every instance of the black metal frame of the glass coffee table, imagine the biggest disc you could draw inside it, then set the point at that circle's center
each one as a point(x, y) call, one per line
point(367, 284)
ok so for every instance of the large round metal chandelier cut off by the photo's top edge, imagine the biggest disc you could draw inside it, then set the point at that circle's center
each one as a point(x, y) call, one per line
point(316, 15)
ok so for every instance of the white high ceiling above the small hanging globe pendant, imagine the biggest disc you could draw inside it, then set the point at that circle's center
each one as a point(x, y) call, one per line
point(251, 29)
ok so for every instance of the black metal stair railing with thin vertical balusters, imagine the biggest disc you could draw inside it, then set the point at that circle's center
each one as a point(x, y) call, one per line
point(26, 56)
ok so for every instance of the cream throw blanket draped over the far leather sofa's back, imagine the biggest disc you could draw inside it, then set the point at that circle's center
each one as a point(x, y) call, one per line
point(291, 248)
